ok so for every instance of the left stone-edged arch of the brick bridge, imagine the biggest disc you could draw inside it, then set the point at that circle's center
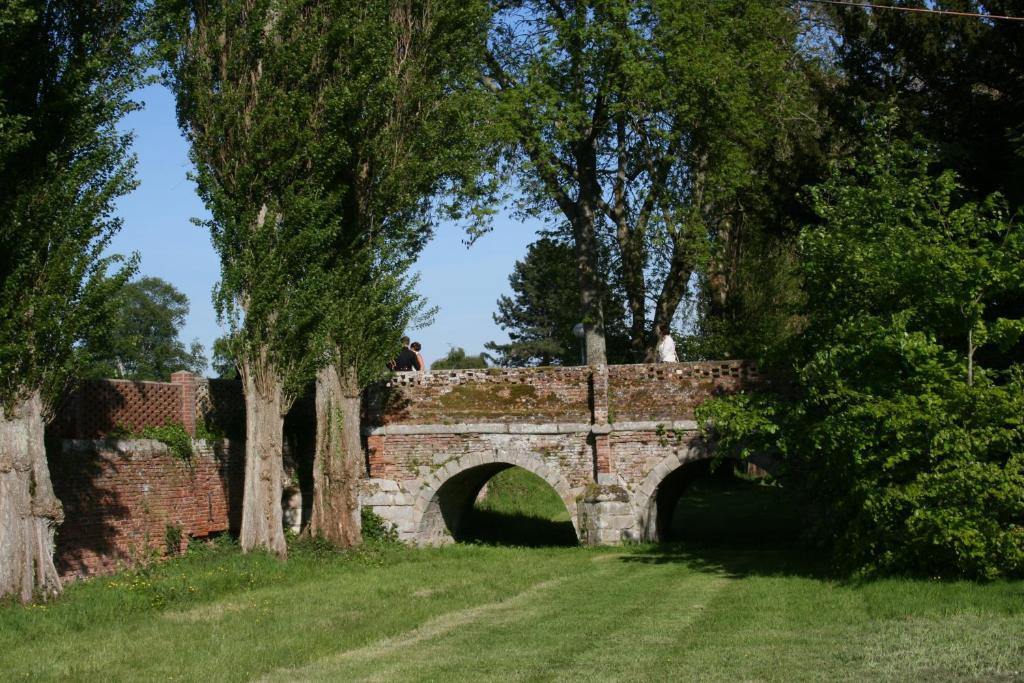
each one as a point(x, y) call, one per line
point(448, 494)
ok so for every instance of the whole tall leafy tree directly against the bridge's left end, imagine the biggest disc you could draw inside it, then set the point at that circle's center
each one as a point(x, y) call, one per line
point(406, 132)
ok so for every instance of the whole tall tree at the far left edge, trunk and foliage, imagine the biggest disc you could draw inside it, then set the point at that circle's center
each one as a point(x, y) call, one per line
point(67, 71)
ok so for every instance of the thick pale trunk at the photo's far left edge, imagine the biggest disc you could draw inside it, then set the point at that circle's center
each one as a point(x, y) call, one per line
point(29, 510)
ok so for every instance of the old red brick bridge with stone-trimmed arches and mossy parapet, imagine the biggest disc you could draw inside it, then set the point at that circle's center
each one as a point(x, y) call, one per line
point(611, 441)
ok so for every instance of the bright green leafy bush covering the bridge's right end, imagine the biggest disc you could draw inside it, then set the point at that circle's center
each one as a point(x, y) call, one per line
point(911, 453)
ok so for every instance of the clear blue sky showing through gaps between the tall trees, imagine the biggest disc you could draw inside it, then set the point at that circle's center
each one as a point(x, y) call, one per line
point(463, 283)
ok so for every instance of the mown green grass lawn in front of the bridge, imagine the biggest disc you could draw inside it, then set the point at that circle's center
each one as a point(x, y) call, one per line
point(727, 611)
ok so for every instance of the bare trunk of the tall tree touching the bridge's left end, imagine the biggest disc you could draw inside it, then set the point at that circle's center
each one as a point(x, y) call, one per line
point(338, 464)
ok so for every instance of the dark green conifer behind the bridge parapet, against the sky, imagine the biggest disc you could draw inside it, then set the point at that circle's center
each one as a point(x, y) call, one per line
point(544, 309)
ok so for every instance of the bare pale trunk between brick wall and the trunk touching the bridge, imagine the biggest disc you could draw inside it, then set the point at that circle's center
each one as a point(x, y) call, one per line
point(263, 524)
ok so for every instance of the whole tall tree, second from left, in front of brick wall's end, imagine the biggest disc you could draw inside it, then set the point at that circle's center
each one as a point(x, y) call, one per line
point(243, 76)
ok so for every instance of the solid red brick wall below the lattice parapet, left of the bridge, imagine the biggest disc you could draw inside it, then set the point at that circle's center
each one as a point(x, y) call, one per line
point(120, 497)
